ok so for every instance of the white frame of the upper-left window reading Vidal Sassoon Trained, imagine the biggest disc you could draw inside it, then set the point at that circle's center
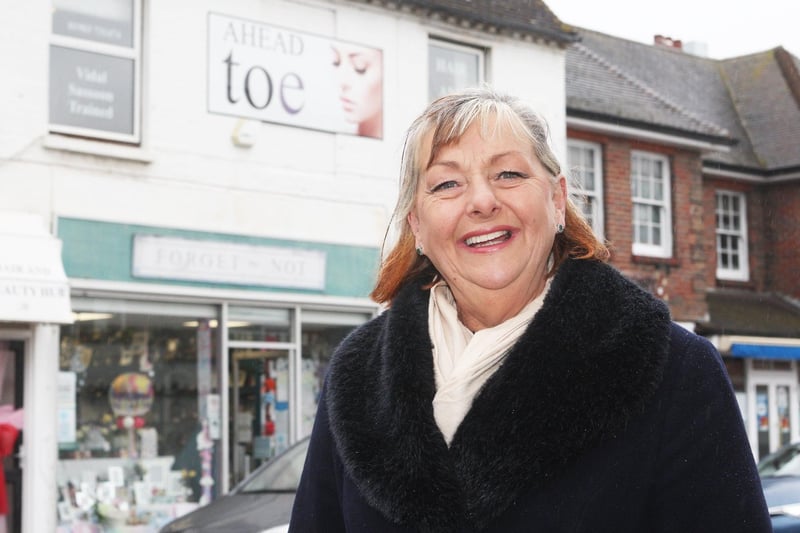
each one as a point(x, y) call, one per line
point(134, 52)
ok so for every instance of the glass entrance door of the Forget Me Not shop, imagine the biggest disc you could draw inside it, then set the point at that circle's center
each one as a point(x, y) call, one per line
point(261, 419)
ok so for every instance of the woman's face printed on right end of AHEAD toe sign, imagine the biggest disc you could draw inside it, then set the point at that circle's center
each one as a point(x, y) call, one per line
point(358, 71)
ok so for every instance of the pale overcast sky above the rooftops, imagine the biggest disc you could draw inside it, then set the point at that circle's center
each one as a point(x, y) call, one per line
point(727, 28)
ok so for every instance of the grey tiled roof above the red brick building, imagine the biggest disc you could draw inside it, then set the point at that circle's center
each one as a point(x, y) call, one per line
point(754, 99)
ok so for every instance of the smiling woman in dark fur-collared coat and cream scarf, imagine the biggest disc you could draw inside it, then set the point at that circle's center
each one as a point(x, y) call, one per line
point(517, 381)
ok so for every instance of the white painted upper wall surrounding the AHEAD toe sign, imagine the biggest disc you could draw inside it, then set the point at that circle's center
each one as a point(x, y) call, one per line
point(293, 183)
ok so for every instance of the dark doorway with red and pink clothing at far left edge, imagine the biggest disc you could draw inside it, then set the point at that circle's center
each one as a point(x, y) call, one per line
point(12, 373)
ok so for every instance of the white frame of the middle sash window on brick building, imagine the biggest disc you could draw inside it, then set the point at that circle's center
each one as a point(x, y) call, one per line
point(664, 205)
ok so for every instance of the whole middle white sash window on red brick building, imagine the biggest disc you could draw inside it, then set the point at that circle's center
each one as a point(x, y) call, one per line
point(650, 195)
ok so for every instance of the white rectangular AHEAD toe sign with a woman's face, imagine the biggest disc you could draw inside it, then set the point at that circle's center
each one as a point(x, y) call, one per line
point(274, 74)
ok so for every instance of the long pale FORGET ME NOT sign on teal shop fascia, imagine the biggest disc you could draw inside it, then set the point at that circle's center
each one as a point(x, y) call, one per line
point(222, 262)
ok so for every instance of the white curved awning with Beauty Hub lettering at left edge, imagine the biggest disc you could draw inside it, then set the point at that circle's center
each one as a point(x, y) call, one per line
point(33, 285)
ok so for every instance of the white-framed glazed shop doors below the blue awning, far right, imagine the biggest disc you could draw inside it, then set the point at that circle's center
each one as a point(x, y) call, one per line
point(774, 400)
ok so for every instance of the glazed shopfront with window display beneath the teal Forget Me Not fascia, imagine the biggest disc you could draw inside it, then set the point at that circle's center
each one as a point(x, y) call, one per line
point(141, 432)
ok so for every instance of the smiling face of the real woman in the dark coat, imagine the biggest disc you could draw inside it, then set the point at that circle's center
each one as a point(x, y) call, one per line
point(485, 214)
